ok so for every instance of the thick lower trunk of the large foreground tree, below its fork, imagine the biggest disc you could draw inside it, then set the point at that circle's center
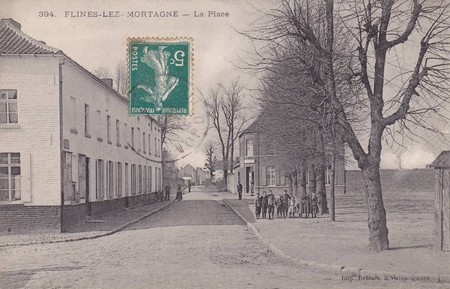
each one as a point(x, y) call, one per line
point(378, 231)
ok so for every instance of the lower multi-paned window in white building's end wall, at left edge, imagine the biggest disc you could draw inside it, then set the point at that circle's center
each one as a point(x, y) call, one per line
point(9, 176)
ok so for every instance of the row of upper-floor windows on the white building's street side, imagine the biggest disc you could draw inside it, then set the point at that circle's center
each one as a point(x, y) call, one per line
point(141, 142)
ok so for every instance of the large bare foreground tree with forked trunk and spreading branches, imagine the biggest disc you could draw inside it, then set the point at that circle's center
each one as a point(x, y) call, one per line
point(378, 28)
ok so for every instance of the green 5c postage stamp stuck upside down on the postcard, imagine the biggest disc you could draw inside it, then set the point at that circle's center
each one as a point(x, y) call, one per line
point(160, 75)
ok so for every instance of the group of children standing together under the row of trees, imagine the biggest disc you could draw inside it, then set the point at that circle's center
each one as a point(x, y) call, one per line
point(286, 206)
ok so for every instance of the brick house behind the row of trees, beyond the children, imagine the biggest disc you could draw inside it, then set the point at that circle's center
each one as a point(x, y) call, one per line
point(260, 168)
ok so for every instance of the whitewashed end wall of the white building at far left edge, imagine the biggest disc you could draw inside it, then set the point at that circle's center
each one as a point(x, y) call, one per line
point(36, 136)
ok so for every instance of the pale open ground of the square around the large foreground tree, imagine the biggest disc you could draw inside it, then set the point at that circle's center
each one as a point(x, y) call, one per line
point(344, 243)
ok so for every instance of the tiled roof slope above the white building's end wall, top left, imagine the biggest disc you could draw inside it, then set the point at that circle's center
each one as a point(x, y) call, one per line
point(14, 41)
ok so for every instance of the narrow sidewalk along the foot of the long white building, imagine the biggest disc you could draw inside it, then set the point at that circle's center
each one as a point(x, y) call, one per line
point(110, 224)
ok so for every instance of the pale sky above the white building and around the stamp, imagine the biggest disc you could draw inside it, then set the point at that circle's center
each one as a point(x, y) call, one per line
point(101, 42)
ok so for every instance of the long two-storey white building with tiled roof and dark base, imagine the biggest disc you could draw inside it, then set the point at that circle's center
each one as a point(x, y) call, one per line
point(68, 147)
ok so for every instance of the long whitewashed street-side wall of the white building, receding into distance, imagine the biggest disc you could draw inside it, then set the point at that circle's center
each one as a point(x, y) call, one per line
point(80, 88)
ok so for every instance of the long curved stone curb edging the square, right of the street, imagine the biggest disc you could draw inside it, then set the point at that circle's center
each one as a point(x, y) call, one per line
point(344, 271)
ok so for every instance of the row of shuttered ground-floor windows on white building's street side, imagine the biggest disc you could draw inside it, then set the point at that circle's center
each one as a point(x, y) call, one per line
point(110, 177)
